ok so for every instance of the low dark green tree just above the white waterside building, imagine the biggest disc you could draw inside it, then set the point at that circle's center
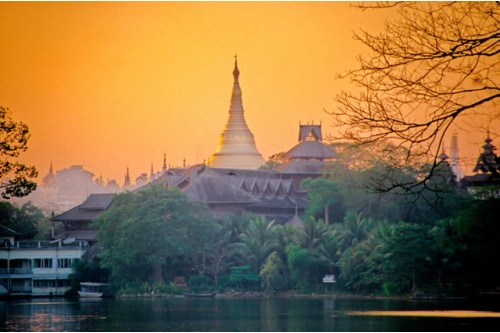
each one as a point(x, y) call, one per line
point(24, 219)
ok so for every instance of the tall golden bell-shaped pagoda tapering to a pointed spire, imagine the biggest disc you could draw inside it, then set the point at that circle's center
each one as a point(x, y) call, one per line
point(236, 148)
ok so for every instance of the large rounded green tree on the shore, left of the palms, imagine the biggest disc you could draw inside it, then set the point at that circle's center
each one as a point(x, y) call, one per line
point(144, 231)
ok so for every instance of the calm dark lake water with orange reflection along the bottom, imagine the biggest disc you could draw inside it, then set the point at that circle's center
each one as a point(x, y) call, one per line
point(233, 314)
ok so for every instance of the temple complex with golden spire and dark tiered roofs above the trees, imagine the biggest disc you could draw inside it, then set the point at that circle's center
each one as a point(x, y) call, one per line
point(232, 180)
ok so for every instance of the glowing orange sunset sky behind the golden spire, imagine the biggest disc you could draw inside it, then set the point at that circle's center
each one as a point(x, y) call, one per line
point(117, 84)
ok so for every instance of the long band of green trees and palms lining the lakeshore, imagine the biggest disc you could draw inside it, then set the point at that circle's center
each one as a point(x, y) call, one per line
point(434, 239)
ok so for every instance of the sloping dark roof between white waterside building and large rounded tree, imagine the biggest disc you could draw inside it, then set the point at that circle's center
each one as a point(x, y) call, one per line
point(89, 210)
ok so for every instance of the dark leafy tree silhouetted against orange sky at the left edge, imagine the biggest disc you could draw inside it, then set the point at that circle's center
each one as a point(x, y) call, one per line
point(16, 179)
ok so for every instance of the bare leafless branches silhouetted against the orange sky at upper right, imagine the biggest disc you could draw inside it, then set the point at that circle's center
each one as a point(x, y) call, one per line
point(436, 63)
